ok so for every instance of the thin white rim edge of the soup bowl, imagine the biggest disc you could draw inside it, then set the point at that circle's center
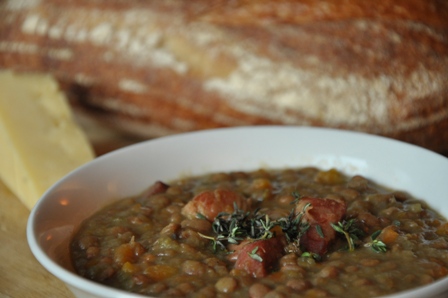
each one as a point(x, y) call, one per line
point(73, 280)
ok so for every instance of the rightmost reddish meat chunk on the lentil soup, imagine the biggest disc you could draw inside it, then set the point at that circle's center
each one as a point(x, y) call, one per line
point(320, 214)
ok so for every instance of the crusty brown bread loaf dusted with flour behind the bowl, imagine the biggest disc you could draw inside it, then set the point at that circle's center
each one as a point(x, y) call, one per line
point(159, 67)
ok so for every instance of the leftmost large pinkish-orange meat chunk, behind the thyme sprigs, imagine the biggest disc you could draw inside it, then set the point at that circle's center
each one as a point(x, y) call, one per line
point(211, 203)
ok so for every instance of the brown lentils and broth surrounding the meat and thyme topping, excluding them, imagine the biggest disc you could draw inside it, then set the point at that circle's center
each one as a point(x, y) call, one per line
point(145, 244)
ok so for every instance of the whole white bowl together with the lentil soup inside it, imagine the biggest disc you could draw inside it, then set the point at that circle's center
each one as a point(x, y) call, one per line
point(250, 211)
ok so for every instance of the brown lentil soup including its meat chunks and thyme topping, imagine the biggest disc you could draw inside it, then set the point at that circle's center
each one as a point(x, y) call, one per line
point(266, 233)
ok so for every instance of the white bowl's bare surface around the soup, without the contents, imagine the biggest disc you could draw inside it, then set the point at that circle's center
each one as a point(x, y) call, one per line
point(130, 170)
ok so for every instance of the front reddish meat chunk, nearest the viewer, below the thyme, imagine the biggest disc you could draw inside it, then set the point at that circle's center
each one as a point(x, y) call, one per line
point(268, 252)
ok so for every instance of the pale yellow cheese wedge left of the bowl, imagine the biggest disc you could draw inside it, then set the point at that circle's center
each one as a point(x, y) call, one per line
point(40, 141)
